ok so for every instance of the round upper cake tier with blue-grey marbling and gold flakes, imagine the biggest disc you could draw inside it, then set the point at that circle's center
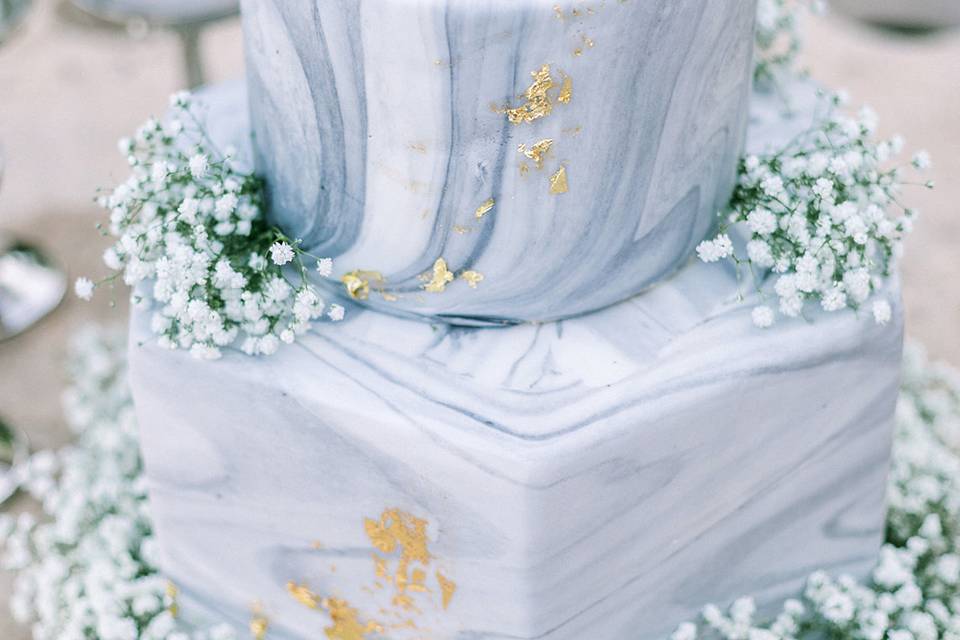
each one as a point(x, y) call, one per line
point(498, 160)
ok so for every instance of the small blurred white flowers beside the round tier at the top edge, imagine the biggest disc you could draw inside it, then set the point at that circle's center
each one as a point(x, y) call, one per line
point(778, 38)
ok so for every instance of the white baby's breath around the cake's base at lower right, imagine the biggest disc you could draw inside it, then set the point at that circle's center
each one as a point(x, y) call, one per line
point(914, 590)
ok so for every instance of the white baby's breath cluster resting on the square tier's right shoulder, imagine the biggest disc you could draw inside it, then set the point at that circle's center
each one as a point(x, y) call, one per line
point(816, 213)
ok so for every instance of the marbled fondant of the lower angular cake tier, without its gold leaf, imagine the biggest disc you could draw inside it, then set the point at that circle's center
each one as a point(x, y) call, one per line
point(601, 477)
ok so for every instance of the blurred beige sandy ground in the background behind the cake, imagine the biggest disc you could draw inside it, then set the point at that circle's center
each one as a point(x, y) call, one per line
point(68, 92)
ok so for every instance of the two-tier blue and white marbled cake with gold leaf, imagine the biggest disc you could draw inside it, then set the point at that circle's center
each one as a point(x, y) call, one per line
point(600, 468)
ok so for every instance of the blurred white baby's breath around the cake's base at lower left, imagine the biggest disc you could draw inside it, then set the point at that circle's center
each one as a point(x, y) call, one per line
point(88, 570)
